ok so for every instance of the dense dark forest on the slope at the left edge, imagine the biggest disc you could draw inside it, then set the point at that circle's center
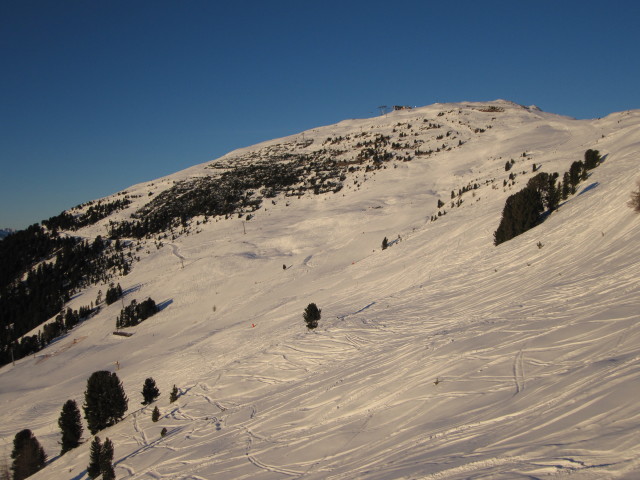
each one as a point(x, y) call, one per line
point(40, 272)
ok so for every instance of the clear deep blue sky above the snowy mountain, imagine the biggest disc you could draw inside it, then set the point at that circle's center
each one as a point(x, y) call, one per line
point(96, 96)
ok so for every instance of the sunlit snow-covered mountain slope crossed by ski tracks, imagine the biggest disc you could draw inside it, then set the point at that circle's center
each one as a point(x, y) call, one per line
point(441, 357)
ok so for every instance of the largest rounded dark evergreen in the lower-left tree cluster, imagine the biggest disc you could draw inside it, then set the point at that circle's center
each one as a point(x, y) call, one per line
point(105, 401)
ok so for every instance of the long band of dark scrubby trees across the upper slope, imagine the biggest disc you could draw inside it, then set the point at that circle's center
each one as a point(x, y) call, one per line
point(241, 190)
